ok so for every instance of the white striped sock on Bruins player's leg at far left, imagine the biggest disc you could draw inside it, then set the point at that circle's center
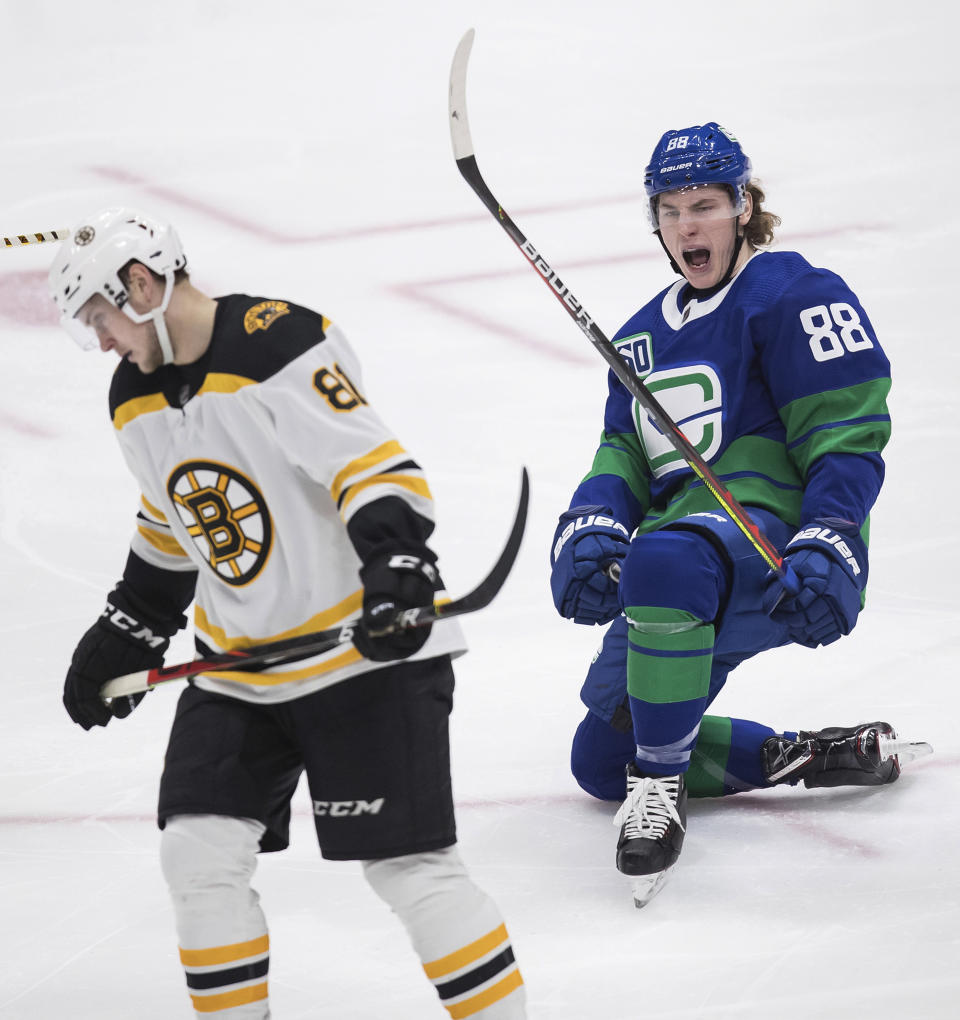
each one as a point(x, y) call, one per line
point(209, 862)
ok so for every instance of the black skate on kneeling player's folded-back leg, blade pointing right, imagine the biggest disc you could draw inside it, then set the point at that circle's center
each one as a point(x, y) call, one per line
point(869, 755)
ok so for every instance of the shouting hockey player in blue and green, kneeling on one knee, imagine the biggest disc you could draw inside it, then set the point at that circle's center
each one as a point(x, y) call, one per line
point(773, 371)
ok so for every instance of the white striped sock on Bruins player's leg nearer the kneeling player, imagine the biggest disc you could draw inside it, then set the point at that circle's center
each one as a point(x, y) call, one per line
point(458, 932)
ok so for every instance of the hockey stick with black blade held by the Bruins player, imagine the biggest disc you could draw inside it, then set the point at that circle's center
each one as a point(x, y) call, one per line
point(294, 649)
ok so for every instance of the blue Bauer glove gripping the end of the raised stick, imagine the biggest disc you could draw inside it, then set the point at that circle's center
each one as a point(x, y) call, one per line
point(826, 570)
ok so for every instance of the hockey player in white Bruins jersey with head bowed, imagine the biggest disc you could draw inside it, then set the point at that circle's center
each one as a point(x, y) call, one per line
point(277, 501)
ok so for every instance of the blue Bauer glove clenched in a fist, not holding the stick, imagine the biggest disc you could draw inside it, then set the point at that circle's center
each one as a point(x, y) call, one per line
point(588, 542)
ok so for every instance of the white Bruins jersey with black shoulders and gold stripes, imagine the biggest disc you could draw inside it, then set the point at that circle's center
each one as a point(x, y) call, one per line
point(251, 464)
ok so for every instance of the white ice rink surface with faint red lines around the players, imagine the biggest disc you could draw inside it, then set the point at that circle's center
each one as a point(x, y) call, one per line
point(302, 151)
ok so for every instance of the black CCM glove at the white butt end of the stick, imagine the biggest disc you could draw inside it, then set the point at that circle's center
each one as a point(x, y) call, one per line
point(125, 640)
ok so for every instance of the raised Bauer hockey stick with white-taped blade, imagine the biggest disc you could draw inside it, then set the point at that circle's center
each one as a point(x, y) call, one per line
point(467, 164)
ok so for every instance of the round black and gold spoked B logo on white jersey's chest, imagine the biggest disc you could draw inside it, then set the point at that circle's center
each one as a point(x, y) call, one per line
point(226, 517)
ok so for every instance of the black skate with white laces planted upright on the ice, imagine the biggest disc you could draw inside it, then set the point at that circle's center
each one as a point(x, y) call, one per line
point(652, 821)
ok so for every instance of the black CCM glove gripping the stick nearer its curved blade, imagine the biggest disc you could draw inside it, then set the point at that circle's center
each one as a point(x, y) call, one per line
point(393, 583)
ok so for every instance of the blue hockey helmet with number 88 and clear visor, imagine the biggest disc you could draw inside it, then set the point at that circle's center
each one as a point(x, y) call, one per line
point(693, 158)
